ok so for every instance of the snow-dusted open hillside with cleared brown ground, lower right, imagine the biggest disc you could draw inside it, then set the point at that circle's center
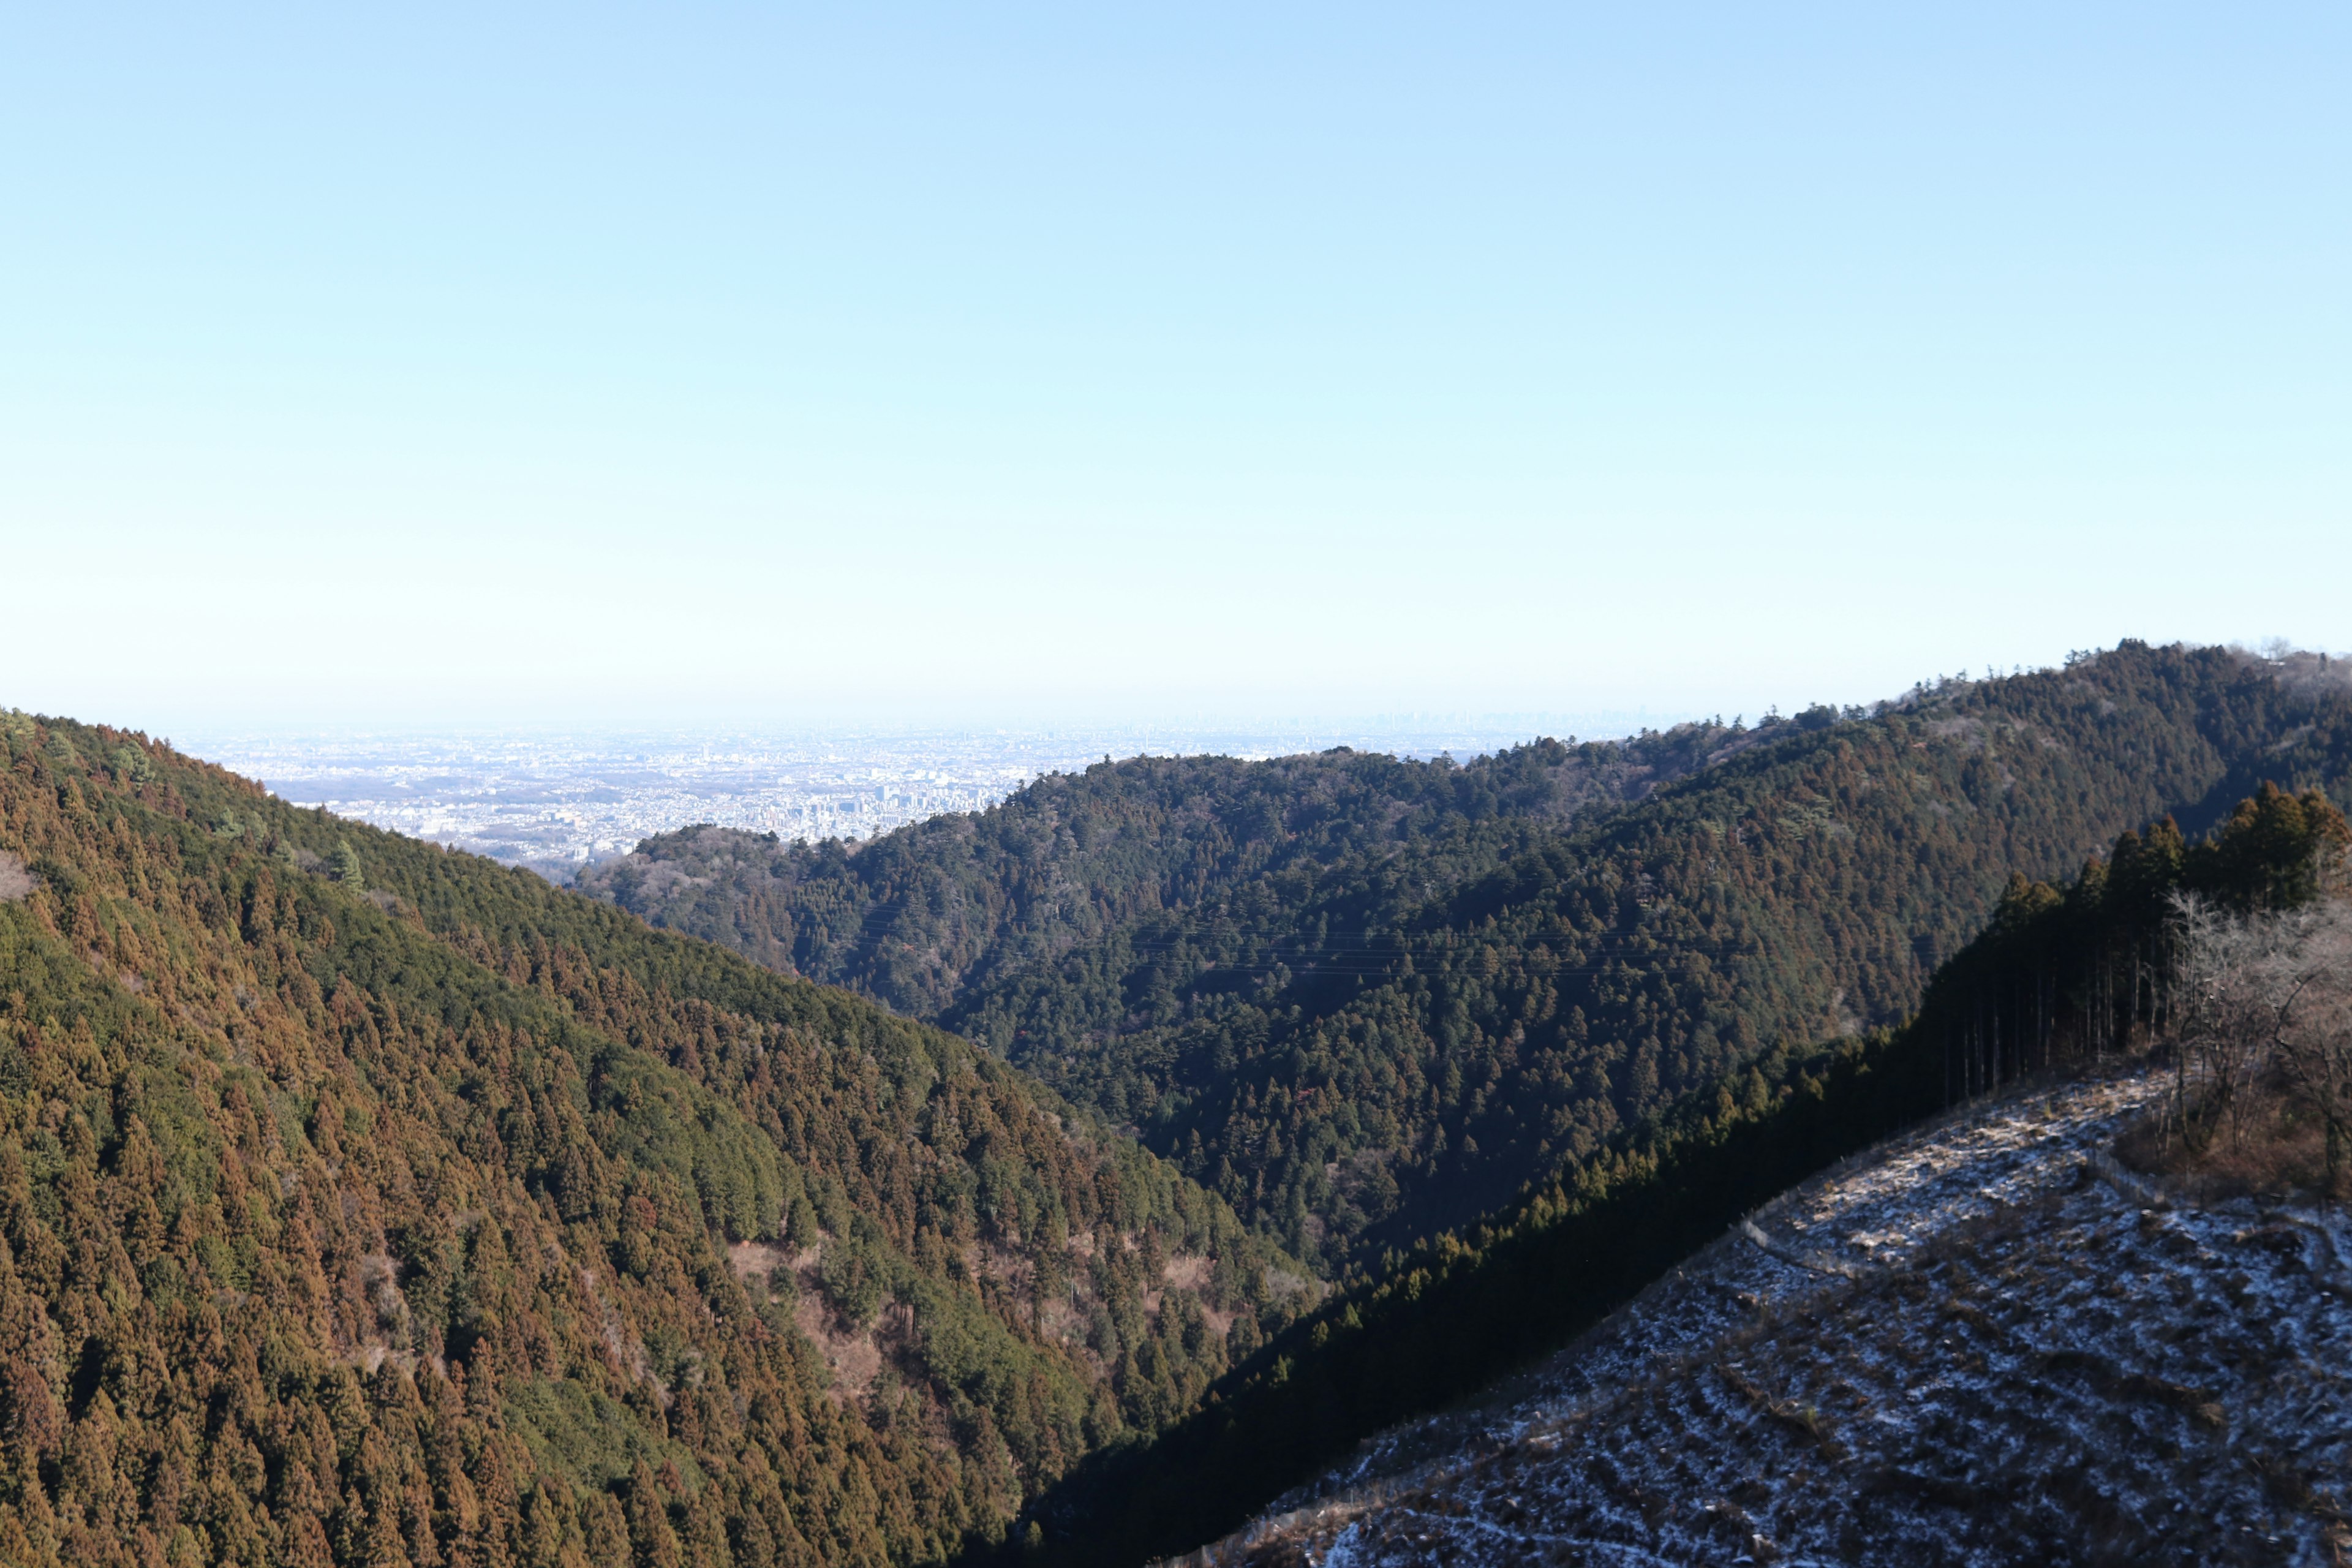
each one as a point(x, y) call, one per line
point(1984, 1343)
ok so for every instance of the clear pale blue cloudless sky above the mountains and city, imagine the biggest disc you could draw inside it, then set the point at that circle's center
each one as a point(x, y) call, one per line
point(497, 363)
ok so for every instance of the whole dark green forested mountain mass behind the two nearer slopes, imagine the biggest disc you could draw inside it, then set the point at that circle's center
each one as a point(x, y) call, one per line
point(1370, 1000)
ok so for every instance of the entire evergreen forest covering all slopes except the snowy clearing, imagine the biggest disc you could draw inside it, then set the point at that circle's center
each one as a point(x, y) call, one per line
point(368, 1202)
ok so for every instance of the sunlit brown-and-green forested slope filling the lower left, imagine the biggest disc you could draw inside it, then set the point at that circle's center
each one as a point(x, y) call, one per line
point(366, 1202)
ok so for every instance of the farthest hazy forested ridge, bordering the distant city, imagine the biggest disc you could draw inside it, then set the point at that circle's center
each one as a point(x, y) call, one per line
point(940, 911)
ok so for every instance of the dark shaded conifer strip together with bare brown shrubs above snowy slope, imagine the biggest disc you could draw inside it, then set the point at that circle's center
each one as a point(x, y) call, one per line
point(2064, 979)
